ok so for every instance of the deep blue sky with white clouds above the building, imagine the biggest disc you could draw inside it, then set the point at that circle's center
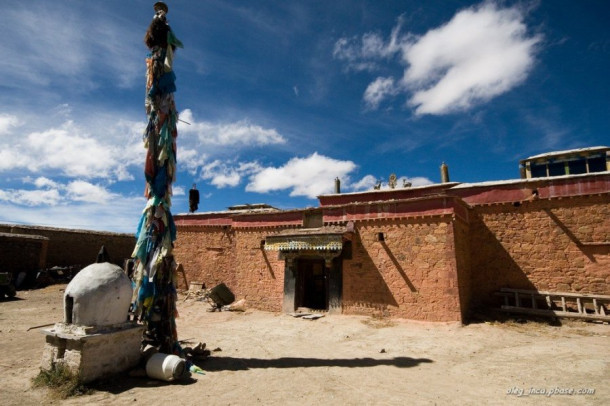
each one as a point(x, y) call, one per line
point(284, 96)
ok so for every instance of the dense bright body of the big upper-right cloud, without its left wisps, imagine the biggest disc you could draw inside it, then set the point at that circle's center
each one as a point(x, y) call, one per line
point(481, 53)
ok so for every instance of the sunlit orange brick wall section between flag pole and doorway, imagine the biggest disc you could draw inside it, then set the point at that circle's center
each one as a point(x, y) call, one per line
point(235, 257)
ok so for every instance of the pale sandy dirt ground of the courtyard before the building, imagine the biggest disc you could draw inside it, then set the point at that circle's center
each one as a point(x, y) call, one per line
point(266, 358)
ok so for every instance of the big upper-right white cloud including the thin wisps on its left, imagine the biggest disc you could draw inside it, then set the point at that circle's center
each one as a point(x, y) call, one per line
point(482, 52)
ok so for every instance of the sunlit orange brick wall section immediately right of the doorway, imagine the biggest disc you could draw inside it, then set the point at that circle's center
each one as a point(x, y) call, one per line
point(411, 274)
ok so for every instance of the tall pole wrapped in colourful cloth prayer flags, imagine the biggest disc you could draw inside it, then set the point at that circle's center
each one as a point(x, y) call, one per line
point(154, 297)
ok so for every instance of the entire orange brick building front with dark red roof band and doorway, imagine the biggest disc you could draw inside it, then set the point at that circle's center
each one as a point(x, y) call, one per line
point(431, 253)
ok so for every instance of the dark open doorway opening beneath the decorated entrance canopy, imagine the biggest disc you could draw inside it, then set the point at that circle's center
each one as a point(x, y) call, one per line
point(311, 284)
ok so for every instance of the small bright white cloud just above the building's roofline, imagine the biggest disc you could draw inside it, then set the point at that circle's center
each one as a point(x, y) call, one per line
point(310, 176)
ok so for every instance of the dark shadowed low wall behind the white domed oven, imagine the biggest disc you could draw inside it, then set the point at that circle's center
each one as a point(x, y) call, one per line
point(68, 247)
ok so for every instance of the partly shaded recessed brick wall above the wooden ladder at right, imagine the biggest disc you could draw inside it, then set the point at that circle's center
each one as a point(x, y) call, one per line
point(557, 245)
